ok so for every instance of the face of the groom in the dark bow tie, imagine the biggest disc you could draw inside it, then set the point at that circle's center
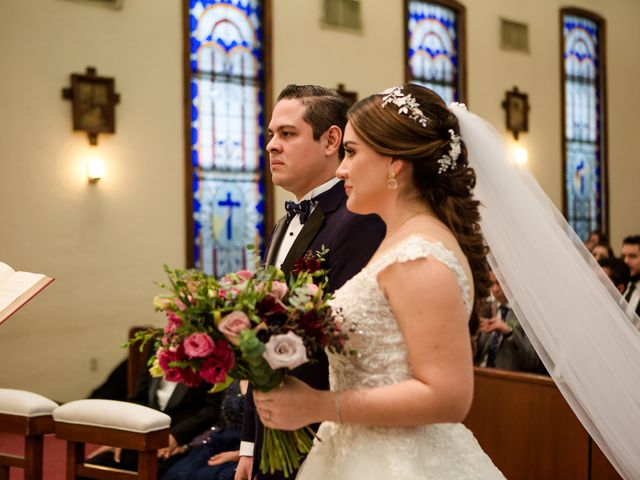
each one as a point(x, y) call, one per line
point(296, 160)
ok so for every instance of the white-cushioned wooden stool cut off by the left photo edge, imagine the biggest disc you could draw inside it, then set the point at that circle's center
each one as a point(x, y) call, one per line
point(27, 414)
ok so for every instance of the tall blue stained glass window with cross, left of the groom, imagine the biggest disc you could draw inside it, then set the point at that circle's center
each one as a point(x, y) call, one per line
point(227, 161)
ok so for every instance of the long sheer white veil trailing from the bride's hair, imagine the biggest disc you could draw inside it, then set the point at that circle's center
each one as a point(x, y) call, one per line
point(569, 309)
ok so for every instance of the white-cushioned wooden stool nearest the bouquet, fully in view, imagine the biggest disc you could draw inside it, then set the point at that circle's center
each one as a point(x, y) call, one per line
point(113, 423)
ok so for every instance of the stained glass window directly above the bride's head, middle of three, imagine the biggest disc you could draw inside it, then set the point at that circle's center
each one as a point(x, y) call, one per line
point(435, 47)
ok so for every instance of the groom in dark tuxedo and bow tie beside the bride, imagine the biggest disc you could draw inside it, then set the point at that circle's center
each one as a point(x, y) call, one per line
point(304, 152)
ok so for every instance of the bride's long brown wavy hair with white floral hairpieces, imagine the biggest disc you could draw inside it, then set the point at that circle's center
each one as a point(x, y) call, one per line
point(412, 123)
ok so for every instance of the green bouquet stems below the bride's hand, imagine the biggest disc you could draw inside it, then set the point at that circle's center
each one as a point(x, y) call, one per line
point(282, 450)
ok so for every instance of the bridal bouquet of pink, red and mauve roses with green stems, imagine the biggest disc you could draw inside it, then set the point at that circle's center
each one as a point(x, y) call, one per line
point(254, 326)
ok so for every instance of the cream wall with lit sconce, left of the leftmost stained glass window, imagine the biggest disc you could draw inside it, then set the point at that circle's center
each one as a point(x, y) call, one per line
point(104, 243)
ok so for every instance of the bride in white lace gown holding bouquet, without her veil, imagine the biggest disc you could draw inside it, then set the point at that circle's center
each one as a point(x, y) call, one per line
point(395, 406)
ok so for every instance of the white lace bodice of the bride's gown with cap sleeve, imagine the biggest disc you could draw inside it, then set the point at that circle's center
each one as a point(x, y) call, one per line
point(381, 357)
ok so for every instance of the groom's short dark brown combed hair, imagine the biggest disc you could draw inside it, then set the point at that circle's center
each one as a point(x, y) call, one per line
point(323, 107)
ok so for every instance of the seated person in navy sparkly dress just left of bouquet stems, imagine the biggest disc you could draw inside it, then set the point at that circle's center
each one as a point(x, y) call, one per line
point(215, 454)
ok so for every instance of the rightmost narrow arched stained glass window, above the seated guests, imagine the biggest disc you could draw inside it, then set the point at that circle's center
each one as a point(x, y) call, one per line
point(585, 179)
